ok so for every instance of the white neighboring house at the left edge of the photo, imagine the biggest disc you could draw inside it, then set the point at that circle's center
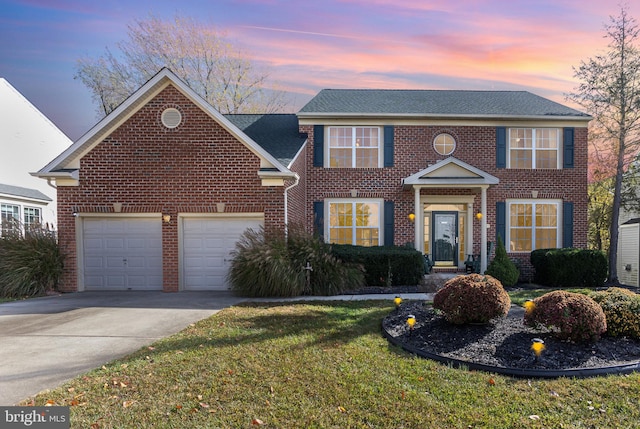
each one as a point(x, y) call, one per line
point(28, 141)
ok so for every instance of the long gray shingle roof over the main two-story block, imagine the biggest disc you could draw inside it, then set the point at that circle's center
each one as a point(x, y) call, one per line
point(435, 103)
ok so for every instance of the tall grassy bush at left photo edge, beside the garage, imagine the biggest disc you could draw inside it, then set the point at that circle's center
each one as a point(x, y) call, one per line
point(30, 264)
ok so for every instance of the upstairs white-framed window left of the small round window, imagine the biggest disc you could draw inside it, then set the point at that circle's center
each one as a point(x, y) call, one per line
point(354, 147)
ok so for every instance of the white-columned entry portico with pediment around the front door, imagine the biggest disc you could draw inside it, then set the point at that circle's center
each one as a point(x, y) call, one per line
point(444, 222)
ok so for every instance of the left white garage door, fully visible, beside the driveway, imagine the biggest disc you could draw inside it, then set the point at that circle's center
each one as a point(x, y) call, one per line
point(122, 254)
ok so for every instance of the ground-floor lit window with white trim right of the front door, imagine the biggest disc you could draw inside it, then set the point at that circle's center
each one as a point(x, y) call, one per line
point(533, 225)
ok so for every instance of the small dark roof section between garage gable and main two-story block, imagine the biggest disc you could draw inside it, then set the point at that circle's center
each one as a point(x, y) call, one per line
point(278, 134)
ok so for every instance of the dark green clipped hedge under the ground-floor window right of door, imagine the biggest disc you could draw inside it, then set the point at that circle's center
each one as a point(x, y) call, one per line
point(569, 267)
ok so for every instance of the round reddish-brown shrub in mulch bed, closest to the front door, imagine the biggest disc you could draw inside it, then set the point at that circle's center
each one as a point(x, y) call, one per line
point(473, 298)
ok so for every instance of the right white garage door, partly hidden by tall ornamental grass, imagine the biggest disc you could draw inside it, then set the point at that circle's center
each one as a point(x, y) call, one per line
point(207, 244)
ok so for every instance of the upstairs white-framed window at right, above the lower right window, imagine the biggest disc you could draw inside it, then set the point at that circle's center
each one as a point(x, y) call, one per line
point(531, 148)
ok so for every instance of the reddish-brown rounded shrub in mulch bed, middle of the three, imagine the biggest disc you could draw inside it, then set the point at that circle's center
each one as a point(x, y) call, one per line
point(571, 316)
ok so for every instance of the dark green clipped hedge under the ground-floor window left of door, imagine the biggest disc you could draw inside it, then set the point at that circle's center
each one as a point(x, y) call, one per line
point(384, 265)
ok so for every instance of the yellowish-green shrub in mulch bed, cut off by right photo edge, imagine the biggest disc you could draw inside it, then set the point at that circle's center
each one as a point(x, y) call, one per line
point(622, 310)
